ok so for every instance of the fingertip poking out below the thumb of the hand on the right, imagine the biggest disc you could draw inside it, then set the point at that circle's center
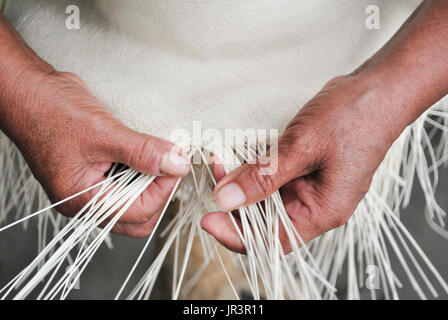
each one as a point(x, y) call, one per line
point(220, 225)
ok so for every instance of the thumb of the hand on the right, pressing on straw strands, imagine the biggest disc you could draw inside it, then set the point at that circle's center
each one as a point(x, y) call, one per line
point(252, 183)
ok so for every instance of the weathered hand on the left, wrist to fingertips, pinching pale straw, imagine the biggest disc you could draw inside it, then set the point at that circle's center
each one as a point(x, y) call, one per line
point(70, 140)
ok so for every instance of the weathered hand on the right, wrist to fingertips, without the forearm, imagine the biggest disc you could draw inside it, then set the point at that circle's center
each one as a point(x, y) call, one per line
point(326, 160)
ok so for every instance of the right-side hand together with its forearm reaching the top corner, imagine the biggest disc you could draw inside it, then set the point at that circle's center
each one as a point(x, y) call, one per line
point(329, 152)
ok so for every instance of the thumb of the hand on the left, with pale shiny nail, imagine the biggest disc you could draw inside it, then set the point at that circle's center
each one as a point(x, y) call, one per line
point(147, 154)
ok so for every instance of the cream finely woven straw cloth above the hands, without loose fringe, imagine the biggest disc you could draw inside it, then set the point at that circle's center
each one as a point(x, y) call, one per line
point(160, 64)
